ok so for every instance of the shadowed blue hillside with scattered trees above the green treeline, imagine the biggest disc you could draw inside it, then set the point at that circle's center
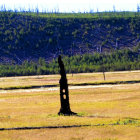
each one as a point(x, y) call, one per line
point(29, 36)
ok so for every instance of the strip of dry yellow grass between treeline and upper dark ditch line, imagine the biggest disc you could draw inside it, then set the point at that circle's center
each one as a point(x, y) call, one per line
point(72, 79)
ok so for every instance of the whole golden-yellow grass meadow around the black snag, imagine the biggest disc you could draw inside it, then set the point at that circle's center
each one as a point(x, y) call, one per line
point(105, 111)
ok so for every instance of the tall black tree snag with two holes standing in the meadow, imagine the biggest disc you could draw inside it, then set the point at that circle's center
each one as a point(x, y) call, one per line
point(64, 92)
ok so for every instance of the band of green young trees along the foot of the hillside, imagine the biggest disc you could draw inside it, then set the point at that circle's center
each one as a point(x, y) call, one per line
point(116, 61)
